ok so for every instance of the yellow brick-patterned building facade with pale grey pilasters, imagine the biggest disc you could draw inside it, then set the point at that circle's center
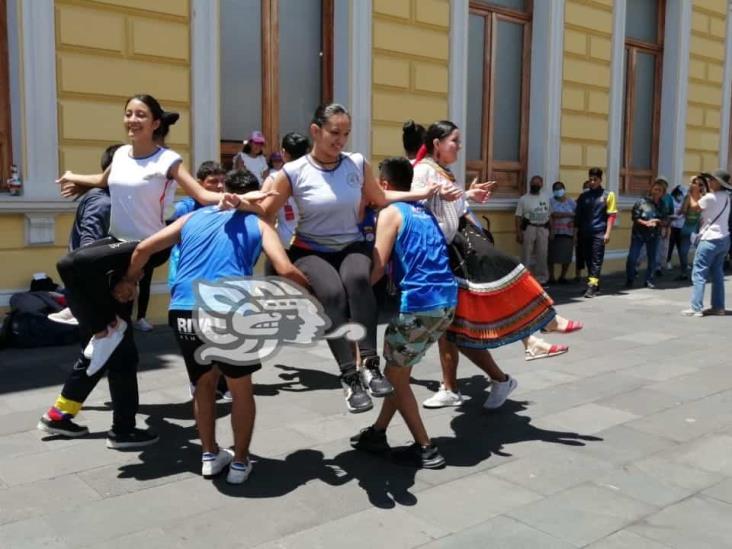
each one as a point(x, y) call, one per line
point(73, 63)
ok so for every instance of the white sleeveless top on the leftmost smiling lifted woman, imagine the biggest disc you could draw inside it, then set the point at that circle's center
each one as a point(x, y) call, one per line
point(141, 192)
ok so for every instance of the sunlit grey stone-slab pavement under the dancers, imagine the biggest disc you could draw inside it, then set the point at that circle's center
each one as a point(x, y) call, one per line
point(626, 441)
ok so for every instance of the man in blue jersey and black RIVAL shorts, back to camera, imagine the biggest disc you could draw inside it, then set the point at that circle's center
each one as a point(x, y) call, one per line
point(214, 244)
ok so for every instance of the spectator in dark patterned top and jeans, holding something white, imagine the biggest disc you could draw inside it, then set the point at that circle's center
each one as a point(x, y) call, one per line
point(647, 223)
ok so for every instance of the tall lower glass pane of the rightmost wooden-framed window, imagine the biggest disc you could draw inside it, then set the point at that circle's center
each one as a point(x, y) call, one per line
point(643, 111)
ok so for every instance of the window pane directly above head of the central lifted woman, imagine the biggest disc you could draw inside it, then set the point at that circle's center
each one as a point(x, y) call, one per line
point(300, 63)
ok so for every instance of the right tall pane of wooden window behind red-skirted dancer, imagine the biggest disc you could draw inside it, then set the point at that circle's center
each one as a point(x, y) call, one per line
point(508, 59)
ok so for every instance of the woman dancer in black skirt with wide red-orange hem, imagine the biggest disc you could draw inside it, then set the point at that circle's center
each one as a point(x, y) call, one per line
point(499, 302)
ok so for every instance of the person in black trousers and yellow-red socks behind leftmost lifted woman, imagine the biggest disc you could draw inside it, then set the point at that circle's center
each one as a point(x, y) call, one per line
point(91, 224)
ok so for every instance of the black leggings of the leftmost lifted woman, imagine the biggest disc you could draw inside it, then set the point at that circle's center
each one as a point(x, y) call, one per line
point(89, 273)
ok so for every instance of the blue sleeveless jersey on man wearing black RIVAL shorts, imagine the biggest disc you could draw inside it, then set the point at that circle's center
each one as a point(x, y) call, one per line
point(214, 244)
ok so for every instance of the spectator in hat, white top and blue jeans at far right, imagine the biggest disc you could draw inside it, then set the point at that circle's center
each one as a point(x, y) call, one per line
point(713, 242)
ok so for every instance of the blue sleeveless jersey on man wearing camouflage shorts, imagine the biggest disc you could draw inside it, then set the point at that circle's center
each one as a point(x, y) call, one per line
point(420, 264)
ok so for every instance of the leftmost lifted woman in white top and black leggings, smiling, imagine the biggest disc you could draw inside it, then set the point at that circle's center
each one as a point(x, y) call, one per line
point(141, 181)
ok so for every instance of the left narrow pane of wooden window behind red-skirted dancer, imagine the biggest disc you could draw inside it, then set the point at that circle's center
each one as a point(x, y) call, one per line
point(476, 61)
